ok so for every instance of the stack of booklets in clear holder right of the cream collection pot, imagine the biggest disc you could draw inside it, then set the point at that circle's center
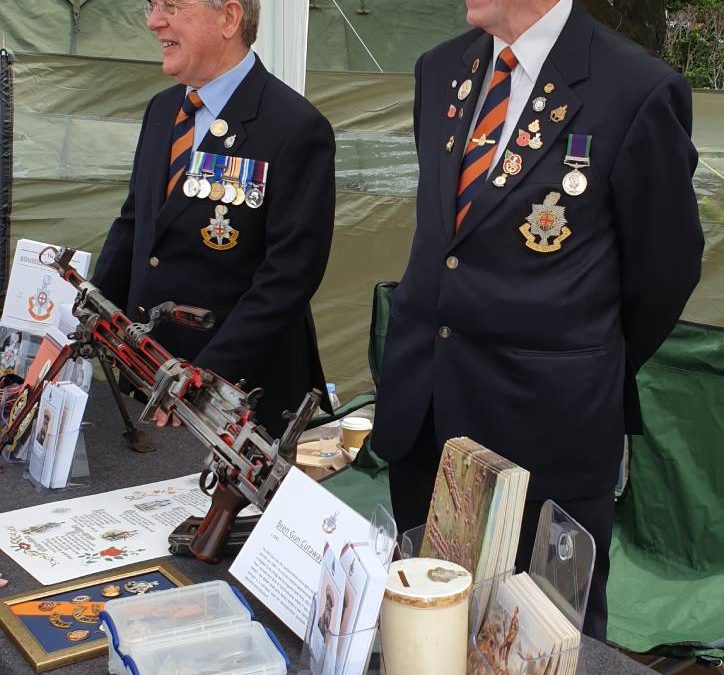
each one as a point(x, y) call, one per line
point(524, 632)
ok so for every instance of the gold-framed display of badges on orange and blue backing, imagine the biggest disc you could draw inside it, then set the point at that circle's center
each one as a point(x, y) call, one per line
point(33, 623)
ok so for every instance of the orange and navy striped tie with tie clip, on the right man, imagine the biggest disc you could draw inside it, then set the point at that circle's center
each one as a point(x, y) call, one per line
point(481, 150)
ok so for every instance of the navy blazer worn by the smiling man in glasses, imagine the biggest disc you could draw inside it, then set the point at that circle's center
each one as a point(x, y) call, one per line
point(260, 289)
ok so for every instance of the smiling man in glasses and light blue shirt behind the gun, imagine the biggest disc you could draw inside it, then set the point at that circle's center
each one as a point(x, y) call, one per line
point(230, 206)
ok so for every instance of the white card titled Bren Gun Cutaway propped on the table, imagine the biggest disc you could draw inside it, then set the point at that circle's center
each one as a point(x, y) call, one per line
point(280, 562)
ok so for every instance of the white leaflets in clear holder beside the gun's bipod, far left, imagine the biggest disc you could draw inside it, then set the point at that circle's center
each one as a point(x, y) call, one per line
point(56, 433)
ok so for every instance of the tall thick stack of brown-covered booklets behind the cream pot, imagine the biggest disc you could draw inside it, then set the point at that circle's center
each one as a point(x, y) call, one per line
point(476, 510)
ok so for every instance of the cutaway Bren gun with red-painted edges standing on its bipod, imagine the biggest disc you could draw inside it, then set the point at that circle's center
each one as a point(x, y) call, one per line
point(244, 466)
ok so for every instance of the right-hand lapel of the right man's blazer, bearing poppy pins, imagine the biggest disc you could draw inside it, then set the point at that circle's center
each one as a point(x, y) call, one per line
point(567, 63)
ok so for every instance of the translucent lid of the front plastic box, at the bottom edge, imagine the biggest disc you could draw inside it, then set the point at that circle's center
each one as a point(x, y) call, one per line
point(241, 649)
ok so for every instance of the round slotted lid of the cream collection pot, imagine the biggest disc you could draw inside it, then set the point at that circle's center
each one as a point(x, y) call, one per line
point(427, 583)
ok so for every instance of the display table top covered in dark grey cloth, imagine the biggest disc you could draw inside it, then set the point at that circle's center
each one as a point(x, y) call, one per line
point(112, 466)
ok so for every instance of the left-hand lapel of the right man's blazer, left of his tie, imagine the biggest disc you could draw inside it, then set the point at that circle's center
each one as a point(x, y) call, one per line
point(456, 128)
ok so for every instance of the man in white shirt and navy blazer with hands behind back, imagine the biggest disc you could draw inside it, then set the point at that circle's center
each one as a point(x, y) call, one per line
point(557, 243)
